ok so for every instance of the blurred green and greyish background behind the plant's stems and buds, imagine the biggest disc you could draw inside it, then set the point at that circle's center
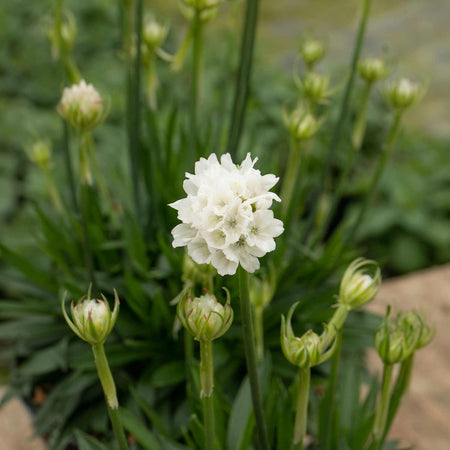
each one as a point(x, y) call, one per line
point(408, 227)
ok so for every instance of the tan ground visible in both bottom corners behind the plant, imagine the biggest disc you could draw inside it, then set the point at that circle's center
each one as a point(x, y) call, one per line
point(423, 417)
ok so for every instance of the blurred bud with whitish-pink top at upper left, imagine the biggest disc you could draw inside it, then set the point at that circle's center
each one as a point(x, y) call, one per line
point(82, 106)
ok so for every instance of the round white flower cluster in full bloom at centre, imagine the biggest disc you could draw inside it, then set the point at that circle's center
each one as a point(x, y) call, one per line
point(226, 216)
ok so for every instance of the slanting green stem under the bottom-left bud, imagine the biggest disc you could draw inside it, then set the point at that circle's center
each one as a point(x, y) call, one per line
point(109, 389)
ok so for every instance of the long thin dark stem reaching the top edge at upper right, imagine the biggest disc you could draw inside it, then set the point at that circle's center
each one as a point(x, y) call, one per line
point(343, 113)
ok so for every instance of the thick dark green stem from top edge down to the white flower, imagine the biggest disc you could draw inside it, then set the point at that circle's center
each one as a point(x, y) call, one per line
point(243, 77)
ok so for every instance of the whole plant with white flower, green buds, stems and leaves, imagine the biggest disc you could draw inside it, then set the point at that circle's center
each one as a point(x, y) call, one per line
point(261, 223)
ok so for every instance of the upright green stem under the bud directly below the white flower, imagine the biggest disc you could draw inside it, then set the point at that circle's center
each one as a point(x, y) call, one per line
point(206, 393)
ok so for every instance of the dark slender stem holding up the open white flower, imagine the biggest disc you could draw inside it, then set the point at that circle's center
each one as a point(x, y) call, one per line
point(250, 356)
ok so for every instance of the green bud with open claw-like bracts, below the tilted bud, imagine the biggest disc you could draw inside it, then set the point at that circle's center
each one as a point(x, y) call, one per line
point(310, 349)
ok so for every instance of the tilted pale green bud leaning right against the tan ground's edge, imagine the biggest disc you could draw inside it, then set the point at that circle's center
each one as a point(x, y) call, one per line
point(360, 283)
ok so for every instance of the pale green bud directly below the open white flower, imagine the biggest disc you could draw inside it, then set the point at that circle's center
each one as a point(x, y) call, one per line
point(204, 317)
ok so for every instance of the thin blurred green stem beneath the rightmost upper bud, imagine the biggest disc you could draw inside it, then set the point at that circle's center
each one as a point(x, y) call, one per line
point(379, 171)
